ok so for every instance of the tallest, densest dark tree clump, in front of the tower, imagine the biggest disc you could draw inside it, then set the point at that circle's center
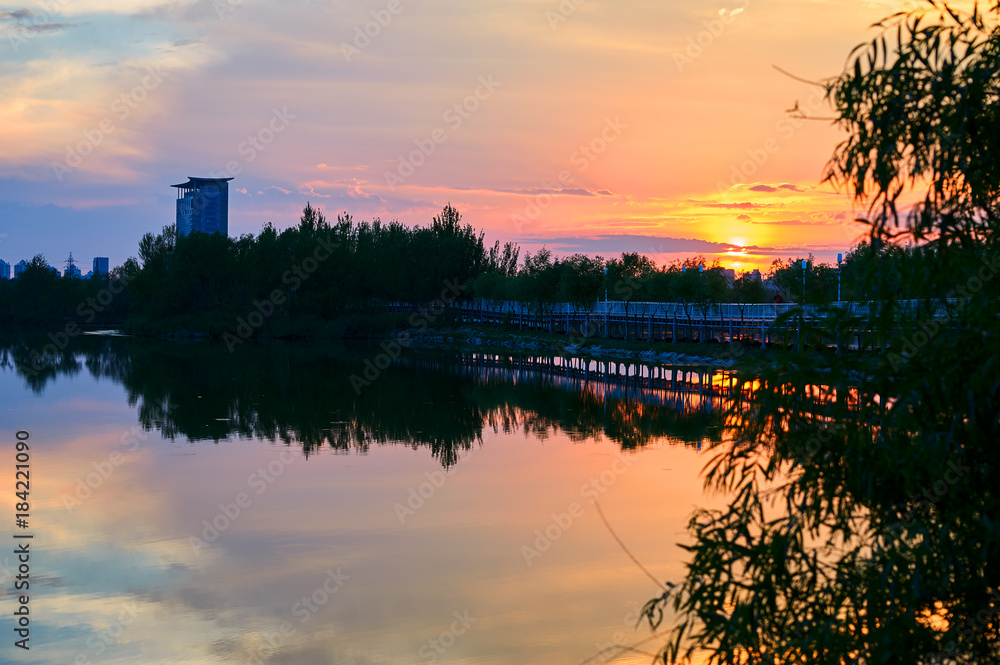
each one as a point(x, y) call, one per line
point(314, 277)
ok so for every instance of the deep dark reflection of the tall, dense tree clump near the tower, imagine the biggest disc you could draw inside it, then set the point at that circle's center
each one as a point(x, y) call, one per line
point(296, 393)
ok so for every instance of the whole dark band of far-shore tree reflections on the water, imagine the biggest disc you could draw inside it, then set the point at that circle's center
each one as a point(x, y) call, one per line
point(302, 393)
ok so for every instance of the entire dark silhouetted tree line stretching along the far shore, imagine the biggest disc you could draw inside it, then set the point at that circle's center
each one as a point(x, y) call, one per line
point(334, 278)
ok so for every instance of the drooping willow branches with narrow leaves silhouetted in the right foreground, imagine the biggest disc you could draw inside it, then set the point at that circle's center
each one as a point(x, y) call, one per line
point(883, 543)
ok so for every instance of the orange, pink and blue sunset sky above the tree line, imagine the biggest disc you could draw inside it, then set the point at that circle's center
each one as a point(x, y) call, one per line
point(654, 126)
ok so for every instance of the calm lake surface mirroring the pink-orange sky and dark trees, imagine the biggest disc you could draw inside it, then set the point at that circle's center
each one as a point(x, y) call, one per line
point(195, 506)
